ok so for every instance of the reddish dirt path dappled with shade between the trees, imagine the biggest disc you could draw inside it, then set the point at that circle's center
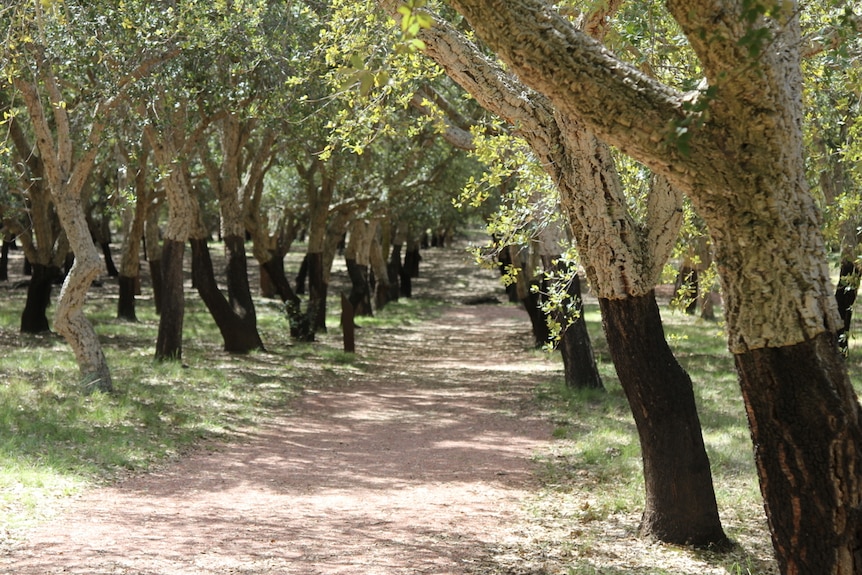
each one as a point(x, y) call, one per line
point(417, 463)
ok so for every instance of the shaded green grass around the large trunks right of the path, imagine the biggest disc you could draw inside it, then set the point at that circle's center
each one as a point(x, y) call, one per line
point(593, 477)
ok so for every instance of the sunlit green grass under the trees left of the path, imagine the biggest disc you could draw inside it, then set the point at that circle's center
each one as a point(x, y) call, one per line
point(55, 441)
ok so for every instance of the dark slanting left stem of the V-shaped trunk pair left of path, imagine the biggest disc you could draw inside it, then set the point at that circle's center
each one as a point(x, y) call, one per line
point(238, 332)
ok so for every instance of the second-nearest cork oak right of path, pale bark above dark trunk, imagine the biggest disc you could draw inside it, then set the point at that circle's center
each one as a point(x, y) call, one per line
point(622, 258)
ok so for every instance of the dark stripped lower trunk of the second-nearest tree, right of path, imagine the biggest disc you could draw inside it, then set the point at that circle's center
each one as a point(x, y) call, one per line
point(680, 501)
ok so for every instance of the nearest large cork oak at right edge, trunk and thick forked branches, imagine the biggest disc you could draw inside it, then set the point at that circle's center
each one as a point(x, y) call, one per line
point(743, 166)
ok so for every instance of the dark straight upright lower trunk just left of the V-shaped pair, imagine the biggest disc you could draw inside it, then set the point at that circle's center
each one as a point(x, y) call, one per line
point(169, 345)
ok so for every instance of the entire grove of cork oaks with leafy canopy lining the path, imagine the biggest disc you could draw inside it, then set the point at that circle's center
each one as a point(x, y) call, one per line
point(585, 134)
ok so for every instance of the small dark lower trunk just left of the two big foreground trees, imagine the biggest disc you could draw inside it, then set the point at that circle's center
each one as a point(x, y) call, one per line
point(575, 346)
